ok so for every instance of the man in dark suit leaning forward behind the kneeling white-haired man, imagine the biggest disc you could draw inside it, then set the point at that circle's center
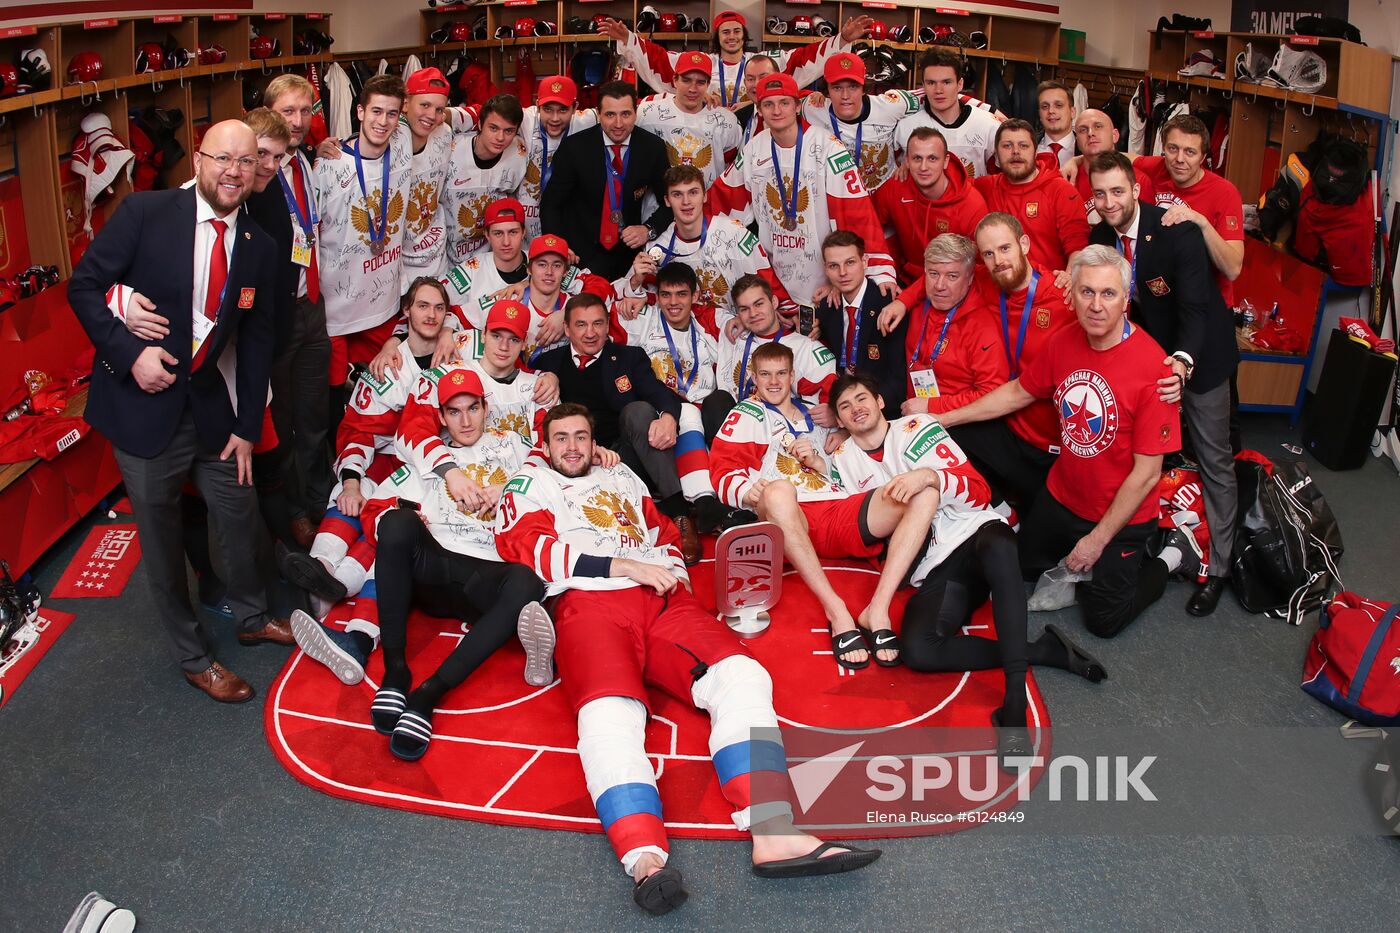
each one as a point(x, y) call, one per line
point(1179, 305)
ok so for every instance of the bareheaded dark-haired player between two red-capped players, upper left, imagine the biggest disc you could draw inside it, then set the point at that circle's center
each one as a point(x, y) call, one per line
point(486, 166)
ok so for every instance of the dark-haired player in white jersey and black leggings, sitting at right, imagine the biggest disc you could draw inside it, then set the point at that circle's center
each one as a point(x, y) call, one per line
point(971, 554)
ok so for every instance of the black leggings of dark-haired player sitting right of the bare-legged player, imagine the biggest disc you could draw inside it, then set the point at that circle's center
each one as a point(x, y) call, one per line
point(986, 564)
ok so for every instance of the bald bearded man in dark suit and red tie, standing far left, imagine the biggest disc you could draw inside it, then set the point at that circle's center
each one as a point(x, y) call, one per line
point(209, 270)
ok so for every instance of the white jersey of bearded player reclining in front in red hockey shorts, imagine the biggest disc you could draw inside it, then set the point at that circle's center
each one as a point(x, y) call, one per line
point(568, 530)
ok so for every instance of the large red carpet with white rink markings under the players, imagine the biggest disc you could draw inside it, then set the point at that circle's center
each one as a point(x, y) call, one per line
point(506, 753)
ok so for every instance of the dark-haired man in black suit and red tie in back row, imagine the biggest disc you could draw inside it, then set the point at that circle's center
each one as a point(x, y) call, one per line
point(601, 176)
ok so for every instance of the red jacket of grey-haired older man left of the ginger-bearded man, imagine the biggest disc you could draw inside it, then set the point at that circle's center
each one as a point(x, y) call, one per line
point(968, 362)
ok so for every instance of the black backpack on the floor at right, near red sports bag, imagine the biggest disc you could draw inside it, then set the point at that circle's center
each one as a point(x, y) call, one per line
point(1289, 543)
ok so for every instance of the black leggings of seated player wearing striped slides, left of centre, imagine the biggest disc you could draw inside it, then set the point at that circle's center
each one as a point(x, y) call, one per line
point(414, 569)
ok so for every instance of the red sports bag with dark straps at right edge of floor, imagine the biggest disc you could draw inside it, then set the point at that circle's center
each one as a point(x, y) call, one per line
point(1354, 661)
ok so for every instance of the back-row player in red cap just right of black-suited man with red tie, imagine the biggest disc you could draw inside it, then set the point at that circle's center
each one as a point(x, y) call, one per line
point(695, 132)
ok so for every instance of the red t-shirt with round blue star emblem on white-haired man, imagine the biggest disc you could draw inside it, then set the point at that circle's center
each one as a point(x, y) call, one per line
point(1109, 411)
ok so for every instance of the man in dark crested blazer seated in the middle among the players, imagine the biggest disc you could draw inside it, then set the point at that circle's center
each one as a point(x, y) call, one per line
point(635, 413)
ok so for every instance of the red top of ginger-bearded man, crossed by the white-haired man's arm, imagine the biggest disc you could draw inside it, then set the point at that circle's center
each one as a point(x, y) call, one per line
point(1037, 424)
